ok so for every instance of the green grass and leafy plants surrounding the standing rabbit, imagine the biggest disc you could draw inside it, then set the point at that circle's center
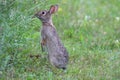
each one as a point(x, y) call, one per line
point(89, 29)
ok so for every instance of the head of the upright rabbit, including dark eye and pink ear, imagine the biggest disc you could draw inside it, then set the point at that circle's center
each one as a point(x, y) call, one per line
point(45, 15)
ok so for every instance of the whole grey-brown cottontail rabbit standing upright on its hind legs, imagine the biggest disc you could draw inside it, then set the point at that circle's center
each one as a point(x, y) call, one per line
point(57, 53)
